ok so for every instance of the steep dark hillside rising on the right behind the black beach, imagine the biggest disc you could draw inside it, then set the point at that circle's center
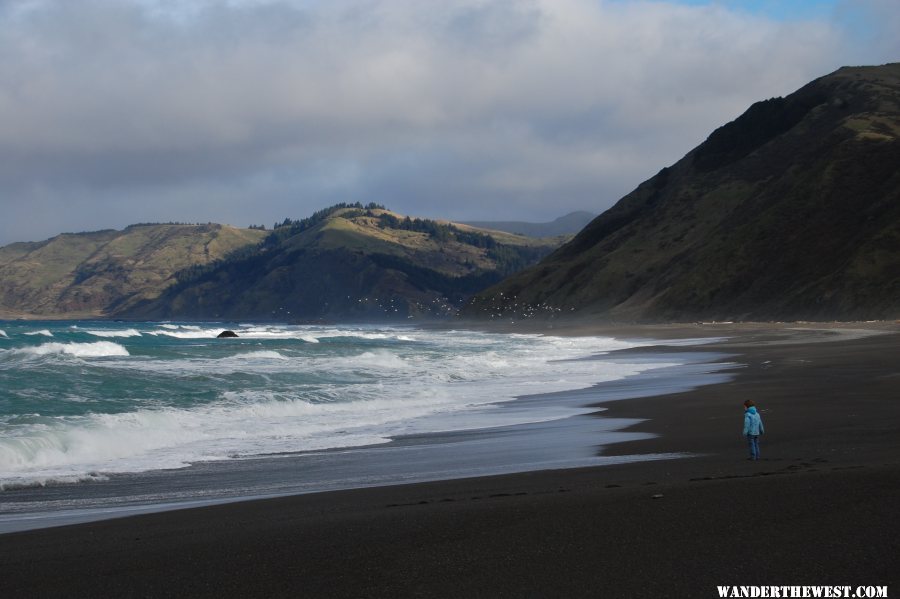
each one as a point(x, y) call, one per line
point(789, 212)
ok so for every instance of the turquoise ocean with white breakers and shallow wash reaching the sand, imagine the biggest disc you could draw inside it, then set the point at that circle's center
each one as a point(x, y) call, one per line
point(103, 418)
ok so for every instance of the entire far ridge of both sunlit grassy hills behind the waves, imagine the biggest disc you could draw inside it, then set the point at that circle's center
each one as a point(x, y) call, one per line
point(423, 267)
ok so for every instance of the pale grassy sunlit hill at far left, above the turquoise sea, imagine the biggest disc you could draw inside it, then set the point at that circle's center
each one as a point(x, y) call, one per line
point(96, 274)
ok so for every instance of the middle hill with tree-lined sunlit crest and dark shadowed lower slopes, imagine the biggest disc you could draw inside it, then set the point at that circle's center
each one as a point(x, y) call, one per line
point(349, 262)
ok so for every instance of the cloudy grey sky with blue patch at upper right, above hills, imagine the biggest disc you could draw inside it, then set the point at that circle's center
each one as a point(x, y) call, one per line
point(114, 112)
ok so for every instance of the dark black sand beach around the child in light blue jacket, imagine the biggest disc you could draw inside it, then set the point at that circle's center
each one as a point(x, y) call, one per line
point(819, 508)
